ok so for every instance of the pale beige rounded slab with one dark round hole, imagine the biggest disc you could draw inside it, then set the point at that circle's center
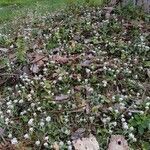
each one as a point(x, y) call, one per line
point(118, 142)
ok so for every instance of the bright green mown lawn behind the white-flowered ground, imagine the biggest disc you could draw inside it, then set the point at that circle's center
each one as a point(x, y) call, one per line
point(9, 9)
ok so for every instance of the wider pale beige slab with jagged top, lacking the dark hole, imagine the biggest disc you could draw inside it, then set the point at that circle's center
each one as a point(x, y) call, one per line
point(89, 143)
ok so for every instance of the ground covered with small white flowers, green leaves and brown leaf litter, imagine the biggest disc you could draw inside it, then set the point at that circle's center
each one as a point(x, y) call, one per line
point(68, 74)
